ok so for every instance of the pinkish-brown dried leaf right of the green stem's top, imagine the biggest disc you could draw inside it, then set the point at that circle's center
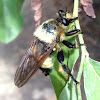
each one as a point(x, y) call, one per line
point(88, 8)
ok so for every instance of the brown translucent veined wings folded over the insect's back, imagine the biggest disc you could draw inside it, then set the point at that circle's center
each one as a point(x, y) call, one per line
point(33, 59)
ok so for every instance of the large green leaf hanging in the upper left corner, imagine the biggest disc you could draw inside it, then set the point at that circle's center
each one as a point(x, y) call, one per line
point(11, 20)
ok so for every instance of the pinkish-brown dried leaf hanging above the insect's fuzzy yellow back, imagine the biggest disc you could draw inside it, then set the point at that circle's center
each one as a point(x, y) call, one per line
point(37, 7)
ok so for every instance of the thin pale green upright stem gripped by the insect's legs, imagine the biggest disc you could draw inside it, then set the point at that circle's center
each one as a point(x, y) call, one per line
point(83, 48)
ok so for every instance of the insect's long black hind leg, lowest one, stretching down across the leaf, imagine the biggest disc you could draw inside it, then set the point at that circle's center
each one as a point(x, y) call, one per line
point(60, 58)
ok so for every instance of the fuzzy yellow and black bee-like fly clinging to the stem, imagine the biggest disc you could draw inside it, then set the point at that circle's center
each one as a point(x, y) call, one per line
point(45, 38)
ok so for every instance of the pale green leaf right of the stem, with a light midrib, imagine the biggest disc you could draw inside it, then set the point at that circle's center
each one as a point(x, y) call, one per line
point(92, 79)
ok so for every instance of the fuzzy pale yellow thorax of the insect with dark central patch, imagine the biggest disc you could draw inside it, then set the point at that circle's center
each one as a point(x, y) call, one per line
point(48, 31)
